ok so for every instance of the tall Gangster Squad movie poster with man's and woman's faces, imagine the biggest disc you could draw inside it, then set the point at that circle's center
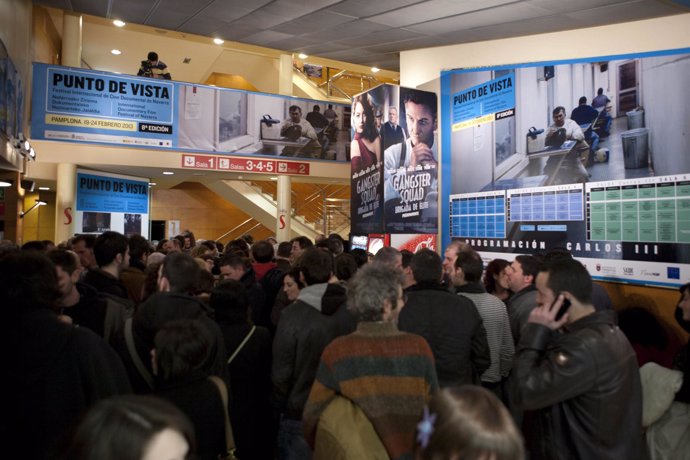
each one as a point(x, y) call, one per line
point(394, 152)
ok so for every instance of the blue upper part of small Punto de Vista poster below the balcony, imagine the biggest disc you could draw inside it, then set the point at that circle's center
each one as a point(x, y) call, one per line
point(111, 194)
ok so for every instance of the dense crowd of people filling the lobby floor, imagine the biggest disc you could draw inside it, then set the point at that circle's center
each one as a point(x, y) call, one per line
point(190, 349)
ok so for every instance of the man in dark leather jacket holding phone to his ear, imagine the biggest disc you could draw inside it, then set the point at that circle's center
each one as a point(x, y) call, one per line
point(578, 373)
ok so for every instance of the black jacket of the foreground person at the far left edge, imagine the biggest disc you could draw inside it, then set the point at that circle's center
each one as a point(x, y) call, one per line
point(51, 373)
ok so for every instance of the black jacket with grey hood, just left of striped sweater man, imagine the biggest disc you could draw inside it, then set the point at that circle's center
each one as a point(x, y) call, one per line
point(303, 331)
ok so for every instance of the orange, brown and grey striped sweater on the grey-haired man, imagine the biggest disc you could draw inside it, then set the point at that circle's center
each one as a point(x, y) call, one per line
point(389, 374)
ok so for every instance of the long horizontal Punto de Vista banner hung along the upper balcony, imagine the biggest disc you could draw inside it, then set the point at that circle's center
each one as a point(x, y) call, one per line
point(77, 105)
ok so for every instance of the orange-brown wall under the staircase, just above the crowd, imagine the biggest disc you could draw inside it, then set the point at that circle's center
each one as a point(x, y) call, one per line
point(202, 211)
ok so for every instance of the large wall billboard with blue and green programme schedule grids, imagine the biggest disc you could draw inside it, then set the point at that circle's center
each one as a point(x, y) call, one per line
point(590, 155)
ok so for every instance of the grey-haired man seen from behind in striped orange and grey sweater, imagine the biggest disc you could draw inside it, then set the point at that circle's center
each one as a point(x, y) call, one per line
point(386, 374)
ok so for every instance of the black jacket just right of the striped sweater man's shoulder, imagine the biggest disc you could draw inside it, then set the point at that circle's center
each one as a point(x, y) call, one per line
point(453, 328)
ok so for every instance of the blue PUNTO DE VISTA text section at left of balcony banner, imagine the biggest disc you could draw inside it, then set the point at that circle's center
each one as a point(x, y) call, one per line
point(84, 105)
